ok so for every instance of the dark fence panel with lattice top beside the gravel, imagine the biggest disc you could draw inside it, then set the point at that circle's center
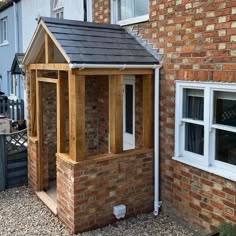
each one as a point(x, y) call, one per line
point(13, 159)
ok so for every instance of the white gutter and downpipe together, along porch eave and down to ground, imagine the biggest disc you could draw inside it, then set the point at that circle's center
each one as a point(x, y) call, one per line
point(157, 202)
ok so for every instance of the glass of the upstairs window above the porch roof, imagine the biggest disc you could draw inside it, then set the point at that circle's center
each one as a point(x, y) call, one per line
point(132, 8)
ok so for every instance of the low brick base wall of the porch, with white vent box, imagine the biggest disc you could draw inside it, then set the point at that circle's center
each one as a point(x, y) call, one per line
point(87, 191)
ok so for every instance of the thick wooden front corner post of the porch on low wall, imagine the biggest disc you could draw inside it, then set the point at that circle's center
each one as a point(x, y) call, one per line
point(77, 117)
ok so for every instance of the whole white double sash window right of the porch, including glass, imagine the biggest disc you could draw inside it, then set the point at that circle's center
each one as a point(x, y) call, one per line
point(205, 126)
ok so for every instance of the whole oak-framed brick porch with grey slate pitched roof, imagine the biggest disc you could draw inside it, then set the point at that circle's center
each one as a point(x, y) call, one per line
point(90, 89)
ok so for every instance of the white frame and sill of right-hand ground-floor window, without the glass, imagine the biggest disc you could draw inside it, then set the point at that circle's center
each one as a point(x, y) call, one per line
point(206, 161)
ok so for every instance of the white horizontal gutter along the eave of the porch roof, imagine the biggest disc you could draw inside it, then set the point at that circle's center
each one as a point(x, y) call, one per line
point(115, 66)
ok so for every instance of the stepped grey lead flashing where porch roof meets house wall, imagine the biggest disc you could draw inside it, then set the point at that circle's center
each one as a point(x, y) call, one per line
point(145, 43)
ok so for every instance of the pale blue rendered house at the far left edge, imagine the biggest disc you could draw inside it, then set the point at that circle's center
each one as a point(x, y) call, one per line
point(10, 43)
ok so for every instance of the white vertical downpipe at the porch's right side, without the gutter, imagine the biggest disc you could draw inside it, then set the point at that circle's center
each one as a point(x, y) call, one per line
point(157, 203)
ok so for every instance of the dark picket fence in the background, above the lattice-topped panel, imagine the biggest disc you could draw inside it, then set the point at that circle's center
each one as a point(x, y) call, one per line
point(12, 109)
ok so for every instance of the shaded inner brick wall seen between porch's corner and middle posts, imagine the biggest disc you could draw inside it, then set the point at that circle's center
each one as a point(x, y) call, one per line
point(97, 115)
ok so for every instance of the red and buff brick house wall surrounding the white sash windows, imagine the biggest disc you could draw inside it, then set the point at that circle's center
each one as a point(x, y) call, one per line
point(198, 40)
